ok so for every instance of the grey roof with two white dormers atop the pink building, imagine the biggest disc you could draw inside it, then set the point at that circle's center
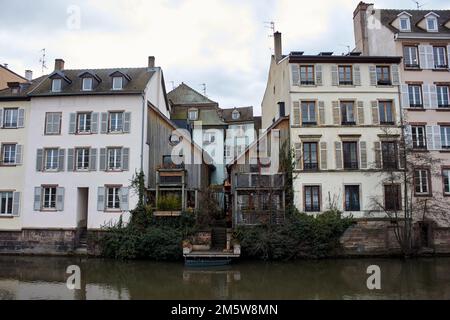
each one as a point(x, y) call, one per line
point(388, 16)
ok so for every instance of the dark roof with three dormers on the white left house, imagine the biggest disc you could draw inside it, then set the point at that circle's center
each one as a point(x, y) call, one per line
point(139, 80)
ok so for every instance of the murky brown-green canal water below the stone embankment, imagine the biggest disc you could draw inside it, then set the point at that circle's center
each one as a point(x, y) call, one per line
point(46, 278)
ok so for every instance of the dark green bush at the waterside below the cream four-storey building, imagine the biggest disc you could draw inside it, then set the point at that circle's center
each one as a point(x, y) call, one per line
point(300, 236)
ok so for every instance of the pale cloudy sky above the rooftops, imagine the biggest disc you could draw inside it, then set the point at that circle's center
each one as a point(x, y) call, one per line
point(224, 44)
